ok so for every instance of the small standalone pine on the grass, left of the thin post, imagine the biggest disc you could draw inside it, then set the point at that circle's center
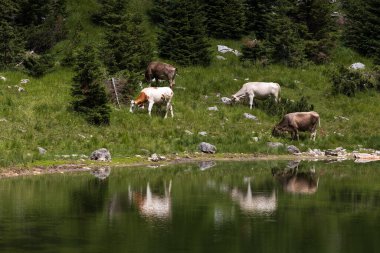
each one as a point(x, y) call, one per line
point(88, 92)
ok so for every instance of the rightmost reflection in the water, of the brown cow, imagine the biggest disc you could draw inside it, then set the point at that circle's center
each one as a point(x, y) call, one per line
point(294, 181)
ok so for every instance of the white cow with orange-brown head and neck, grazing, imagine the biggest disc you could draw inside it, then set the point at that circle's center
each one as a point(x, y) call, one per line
point(154, 95)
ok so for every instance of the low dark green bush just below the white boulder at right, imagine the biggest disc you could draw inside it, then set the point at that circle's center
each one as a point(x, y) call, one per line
point(347, 81)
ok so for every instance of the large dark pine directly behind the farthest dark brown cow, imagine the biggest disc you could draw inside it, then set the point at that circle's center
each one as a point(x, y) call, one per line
point(183, 34)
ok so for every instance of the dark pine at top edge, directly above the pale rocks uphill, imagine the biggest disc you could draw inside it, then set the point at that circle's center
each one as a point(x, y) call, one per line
point(225, 18)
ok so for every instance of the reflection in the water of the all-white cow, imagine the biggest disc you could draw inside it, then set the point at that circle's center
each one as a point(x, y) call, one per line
point(254, 202)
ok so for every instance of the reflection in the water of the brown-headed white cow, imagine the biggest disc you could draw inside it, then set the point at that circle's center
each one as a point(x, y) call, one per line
point(152, 205)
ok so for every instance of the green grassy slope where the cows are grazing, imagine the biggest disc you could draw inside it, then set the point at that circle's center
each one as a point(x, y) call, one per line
point(40, 116)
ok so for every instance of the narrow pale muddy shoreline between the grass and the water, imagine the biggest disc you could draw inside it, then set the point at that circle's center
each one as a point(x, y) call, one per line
point(80, 166)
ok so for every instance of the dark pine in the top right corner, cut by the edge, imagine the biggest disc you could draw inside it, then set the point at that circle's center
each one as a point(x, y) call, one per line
point(362, 31)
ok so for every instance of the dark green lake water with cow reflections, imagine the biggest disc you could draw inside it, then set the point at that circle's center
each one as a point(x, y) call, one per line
point(231, 207)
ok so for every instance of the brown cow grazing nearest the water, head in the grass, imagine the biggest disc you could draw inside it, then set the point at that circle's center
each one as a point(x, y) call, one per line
point(298, 122)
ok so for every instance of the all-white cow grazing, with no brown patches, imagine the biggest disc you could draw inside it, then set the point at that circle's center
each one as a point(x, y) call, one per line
point(260, 90)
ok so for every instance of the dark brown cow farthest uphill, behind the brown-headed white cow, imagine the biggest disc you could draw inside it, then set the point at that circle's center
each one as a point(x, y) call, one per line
point(160, 71)
